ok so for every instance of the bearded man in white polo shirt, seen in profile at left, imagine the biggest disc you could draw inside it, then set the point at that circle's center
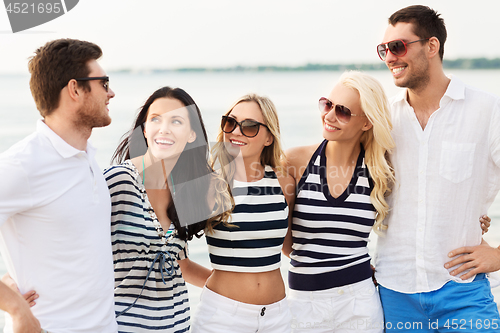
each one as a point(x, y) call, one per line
point(54, 202)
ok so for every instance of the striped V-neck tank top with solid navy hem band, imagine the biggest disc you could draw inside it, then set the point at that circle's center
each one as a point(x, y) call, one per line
point(330, 234)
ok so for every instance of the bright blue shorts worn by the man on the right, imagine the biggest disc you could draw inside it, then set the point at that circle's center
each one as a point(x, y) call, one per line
point(455, 307)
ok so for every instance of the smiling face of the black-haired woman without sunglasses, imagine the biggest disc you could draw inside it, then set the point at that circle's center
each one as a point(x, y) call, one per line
point(167, 128)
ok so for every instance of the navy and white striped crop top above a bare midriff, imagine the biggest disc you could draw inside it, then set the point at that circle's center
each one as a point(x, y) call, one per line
point(259, 223)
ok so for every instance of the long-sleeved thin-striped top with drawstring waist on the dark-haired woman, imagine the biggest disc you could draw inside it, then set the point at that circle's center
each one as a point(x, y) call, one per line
point(138, 239)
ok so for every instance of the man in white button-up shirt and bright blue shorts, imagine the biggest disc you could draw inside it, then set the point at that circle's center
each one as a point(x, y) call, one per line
point(447, 165)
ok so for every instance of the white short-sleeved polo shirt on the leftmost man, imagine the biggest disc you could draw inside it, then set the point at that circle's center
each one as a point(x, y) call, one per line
point(55, 232)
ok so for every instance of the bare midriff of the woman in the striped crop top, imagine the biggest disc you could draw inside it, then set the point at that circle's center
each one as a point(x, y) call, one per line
point(252, 288)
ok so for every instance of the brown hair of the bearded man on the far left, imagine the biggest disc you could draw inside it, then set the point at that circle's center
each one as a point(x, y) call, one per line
point(54, 65)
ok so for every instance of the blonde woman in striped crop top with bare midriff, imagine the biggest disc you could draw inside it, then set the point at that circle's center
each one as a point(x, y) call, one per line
point(246, 292)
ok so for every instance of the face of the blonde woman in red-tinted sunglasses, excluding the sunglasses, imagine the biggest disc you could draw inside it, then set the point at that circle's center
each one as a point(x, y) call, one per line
point(333, 130)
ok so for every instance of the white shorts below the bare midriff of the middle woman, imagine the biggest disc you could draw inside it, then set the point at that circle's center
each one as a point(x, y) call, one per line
point(218, 314)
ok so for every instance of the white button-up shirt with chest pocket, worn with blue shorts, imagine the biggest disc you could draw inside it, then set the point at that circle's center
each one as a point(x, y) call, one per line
point(448, 174)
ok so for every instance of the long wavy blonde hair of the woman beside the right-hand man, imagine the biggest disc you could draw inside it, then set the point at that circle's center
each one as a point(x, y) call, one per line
point(377, 141)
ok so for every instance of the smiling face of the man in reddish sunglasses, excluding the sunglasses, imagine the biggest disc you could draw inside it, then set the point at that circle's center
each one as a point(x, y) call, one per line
point(412, 69)
